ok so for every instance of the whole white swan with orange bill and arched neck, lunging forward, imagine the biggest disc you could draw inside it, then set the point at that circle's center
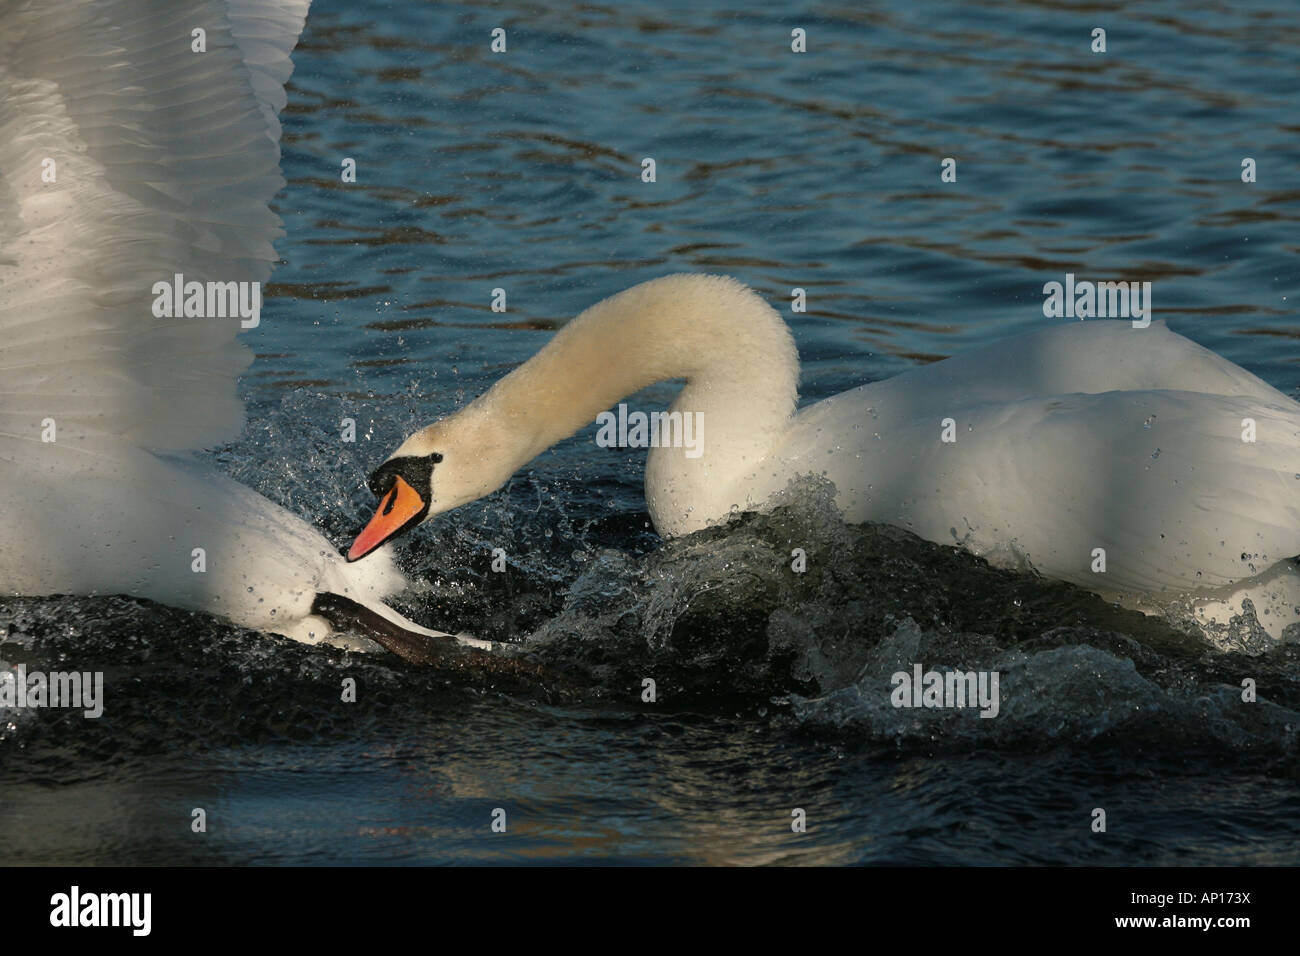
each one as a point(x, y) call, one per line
point(1080, 438)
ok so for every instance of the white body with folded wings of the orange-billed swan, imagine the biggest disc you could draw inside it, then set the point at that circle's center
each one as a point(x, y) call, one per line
point(1082, 438)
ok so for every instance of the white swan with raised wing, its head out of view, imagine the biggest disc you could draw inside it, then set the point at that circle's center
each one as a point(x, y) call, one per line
point(128, 158)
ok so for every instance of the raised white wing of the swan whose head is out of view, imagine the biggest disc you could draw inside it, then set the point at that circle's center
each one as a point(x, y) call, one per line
point(127, 159)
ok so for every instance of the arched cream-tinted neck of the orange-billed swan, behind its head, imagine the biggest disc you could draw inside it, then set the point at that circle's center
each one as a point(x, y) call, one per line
point(734, 351)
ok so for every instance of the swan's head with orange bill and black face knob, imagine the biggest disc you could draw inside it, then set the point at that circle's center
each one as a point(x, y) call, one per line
point(441, 468)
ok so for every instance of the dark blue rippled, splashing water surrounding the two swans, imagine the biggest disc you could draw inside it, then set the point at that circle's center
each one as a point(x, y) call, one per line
point(821, 171)
